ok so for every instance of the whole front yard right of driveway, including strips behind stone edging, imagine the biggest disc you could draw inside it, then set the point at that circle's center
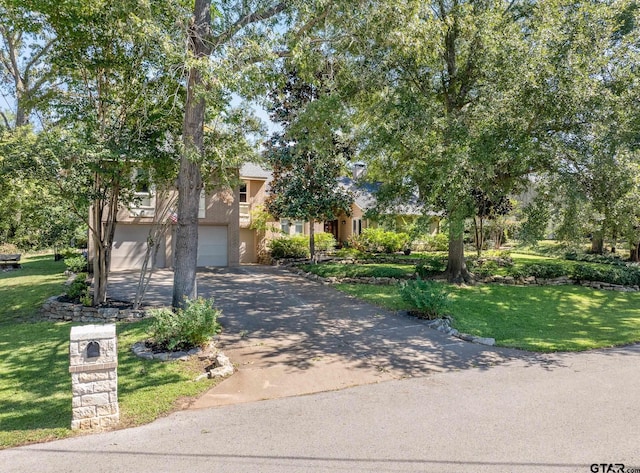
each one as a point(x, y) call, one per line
point(536, 318)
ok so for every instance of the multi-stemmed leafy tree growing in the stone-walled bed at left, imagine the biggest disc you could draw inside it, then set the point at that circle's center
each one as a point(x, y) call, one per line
point(112, 115)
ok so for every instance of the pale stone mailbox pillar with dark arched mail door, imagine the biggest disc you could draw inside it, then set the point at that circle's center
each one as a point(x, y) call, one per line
point(93, 362)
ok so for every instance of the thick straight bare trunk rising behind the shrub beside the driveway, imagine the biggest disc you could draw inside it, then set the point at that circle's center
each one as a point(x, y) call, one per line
point(189, 177)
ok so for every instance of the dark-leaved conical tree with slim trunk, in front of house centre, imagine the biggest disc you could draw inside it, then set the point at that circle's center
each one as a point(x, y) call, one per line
point(307, 157)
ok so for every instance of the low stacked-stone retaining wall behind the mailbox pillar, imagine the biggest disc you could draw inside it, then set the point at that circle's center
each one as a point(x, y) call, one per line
point(55, 310)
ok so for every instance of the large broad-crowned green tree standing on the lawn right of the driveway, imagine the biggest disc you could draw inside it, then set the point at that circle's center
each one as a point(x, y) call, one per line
point(457, 96)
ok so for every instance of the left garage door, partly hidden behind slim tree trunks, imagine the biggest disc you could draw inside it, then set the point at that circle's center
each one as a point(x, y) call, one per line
point(130, 246)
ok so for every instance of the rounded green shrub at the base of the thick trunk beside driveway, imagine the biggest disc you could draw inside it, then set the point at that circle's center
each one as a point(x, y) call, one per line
point(186, 328)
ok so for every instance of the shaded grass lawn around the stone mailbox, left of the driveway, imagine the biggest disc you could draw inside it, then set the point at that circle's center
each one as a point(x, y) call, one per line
point(35, 385)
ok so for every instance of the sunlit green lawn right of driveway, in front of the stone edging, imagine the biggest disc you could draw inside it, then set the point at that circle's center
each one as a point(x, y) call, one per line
point(545, 319)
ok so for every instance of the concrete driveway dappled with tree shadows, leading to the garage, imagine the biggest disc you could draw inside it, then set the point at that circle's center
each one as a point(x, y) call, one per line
point(289, 336)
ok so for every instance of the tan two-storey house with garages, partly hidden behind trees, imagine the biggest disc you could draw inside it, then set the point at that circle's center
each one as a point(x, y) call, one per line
point(226, 234)
